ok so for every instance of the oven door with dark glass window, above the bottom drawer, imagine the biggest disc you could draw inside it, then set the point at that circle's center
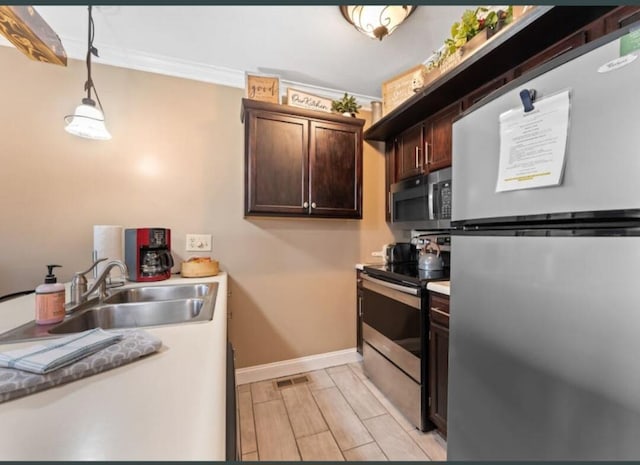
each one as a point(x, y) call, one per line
point(392, 324)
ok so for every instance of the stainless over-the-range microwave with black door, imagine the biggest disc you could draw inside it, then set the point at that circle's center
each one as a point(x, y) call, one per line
point(422, 202)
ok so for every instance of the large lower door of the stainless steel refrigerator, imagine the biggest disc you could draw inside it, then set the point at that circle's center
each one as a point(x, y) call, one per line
point(544, 348)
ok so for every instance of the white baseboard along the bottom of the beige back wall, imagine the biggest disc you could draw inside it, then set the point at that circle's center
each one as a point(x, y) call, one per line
point(296, 365)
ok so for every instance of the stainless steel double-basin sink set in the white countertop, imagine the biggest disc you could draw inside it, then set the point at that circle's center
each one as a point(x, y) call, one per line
point(129, 308)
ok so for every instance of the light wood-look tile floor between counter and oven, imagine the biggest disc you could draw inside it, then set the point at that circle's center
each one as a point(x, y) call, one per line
point(338, 415)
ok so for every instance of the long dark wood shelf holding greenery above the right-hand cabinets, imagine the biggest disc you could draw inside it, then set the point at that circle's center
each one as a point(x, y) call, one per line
point(531, 34)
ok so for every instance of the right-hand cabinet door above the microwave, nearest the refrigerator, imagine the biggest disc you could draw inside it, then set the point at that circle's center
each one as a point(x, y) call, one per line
point(439, 137)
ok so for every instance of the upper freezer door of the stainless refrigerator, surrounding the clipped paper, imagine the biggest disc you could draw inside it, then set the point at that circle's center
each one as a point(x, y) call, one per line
point(601, 163)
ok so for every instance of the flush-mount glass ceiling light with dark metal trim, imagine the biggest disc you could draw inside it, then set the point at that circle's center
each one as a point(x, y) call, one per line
point(376, 21)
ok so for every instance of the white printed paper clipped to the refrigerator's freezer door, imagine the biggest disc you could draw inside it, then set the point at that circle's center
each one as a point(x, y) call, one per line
point(533, 144)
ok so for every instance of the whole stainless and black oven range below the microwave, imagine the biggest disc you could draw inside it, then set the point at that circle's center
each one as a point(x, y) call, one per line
point(395, 328)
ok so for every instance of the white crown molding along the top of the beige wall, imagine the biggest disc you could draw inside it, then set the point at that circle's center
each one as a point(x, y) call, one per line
point(176, 67)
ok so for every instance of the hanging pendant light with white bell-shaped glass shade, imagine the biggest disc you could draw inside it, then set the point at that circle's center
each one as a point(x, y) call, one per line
point(88, 120)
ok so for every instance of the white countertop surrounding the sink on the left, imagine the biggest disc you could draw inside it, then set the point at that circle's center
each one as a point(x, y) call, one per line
point(168, 406)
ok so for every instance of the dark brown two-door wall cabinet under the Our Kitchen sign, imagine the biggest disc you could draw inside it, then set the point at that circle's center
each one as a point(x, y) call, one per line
point(301, 162)
